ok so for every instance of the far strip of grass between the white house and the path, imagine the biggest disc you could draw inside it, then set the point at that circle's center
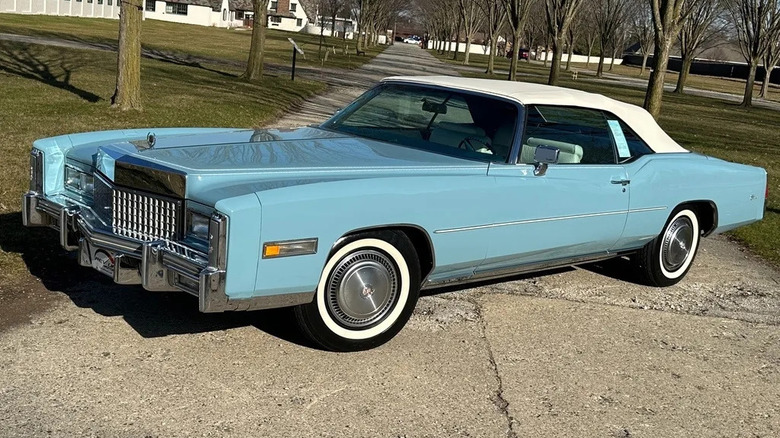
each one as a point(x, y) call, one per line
point(186, 39)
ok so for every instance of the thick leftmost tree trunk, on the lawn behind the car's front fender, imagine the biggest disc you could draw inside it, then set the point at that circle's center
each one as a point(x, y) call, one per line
point(127, 94)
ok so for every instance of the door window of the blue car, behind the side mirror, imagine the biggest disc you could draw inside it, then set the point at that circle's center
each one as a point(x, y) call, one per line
point(582, 135)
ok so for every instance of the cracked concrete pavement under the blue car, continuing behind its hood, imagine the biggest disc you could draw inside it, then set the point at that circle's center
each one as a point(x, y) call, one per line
point(573, 352)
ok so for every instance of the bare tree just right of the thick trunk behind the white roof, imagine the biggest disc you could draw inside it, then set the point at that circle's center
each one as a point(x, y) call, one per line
point(698, 28)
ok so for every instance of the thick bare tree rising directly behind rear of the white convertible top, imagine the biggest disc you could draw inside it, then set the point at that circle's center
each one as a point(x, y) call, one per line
point(667, 19)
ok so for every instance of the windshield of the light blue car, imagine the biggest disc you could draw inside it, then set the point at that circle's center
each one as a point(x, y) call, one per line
point(448, 122)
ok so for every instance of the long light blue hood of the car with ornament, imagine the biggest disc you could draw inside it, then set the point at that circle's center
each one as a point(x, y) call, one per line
point(210, 165)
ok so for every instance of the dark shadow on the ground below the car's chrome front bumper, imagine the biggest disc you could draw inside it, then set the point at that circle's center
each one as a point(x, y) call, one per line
point(150, 314)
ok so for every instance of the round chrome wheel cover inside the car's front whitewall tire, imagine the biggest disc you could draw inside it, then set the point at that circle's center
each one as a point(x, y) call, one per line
point(363, 288)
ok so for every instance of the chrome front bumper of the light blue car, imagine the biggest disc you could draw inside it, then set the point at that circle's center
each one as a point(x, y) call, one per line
point(157, 266)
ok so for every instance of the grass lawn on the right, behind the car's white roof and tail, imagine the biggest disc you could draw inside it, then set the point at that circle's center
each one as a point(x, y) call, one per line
point(704, 125)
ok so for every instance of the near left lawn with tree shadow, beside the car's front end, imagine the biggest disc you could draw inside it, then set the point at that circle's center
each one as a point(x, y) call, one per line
point(50, 91)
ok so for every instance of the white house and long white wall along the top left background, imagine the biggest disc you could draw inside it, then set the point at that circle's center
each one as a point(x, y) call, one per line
point(289, 15)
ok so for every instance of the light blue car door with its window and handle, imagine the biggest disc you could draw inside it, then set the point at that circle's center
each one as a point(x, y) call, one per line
point(576, 208)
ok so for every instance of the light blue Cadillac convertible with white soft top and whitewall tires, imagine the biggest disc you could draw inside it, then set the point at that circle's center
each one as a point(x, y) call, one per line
point(420, 182)
